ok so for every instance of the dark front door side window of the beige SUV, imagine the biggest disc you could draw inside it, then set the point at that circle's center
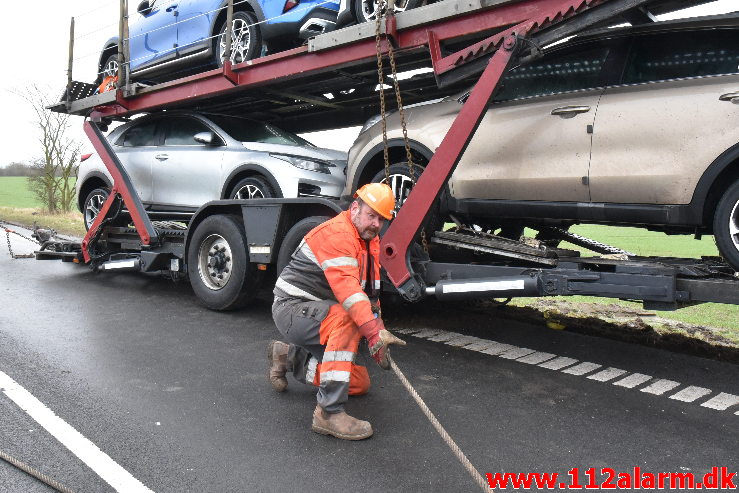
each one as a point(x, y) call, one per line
point(576, 69)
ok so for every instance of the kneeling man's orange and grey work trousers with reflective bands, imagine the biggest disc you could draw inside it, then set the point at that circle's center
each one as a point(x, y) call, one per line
point(324, 341)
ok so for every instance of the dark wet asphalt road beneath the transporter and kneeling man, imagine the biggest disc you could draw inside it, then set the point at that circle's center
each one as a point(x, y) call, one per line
point(177, 397)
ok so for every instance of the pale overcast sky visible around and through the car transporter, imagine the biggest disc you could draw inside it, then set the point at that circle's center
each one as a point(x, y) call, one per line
point(34, 39)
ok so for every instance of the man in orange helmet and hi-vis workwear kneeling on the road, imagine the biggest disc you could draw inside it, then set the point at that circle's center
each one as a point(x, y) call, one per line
point(326, 300)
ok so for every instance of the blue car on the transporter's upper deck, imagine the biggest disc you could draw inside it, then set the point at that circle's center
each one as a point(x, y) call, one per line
point(169, 38)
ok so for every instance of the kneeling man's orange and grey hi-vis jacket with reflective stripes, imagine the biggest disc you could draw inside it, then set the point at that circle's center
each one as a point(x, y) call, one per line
point(331, 263)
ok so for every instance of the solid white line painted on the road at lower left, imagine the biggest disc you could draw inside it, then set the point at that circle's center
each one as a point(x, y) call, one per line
point(88, 452)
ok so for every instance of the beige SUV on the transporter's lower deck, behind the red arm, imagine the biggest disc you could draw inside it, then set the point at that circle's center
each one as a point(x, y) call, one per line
point(631, 126)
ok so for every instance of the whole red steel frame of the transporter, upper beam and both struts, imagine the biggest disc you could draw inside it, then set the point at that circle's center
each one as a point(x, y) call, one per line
point(526, 16)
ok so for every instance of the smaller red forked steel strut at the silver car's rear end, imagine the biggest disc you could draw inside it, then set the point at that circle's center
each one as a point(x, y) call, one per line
point(121, 187)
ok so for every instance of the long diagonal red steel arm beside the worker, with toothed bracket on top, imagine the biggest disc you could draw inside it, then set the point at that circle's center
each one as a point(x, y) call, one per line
point(539, 15)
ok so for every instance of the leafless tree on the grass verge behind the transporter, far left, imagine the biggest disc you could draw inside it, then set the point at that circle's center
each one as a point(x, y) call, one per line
point(51, 181)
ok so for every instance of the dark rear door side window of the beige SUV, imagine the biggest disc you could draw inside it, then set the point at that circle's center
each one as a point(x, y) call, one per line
point(681, 54)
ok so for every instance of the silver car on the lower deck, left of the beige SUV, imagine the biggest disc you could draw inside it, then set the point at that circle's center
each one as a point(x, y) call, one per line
point(179, 160)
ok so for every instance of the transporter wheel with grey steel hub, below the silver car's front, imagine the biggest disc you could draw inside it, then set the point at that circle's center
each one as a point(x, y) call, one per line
point(218, 265)
